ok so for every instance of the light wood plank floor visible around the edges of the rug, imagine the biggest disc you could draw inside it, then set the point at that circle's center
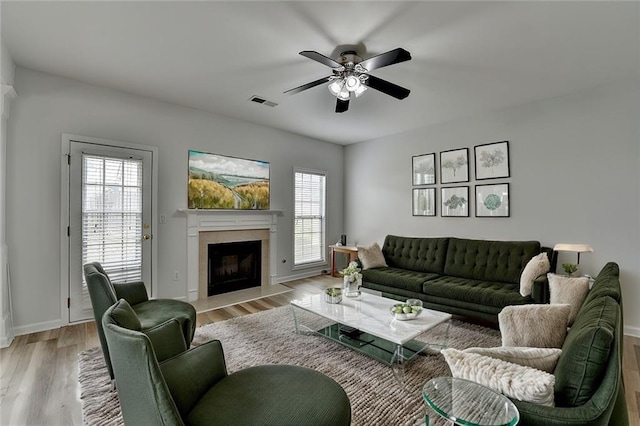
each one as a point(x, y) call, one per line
point(39, 372)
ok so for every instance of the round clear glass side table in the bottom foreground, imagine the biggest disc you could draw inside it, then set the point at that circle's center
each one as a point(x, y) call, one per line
point(468, 403)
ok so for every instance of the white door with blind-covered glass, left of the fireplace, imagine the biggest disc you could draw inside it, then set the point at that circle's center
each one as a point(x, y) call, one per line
point(109, 218)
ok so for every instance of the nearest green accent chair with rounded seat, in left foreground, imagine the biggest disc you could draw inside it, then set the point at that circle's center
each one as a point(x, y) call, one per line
point(194, 388)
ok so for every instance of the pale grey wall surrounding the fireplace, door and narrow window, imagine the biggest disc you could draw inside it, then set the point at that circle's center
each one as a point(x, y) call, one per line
point(49, 106)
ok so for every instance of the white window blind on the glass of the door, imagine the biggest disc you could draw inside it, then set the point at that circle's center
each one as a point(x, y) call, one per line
point(112, 216)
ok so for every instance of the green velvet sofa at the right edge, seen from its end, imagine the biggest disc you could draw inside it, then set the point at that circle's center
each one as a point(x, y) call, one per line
point(588, 388)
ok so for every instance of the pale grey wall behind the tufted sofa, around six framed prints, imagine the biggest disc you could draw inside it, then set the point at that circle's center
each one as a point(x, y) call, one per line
point(575, 167)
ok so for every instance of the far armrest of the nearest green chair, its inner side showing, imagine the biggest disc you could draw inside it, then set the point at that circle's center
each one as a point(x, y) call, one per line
point(192, 373)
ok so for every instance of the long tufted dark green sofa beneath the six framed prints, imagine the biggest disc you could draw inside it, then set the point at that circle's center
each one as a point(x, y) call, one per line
point(471, 278)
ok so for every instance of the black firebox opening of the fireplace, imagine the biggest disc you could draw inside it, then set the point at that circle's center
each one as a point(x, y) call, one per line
point(233, 266)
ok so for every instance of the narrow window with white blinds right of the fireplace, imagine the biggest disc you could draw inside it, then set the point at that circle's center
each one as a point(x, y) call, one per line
point(309, 220)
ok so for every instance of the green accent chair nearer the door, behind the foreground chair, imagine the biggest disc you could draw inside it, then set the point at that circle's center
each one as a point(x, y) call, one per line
point(151, 313)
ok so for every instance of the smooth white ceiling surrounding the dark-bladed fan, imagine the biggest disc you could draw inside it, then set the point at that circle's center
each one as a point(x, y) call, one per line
point(468, 57)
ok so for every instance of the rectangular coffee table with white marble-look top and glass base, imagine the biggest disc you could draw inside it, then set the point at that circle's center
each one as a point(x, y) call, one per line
point(365, 324)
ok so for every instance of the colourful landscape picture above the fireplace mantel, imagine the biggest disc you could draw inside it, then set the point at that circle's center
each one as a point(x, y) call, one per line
point(222, 182)
